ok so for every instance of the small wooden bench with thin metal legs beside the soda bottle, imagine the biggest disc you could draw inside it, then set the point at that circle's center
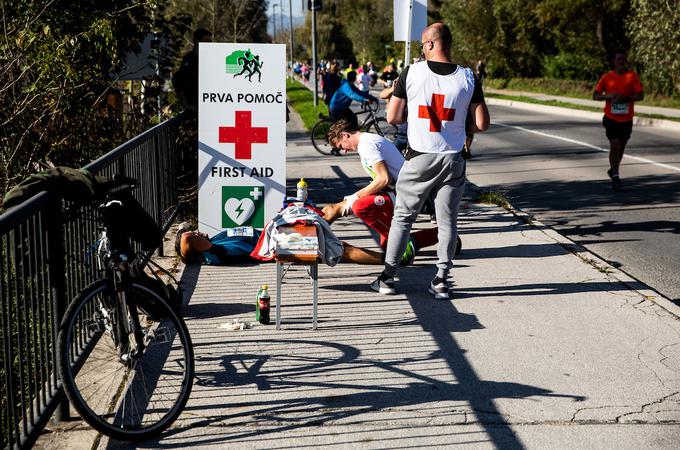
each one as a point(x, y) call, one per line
point(299, 246)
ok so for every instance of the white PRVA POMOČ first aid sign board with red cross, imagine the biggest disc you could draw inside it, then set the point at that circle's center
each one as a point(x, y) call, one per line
point(241, 134)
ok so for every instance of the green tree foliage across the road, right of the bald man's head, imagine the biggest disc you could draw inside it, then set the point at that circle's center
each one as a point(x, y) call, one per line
point(568, 39)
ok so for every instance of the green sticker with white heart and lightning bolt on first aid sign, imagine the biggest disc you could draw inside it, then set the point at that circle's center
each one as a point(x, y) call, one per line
point(242, 205)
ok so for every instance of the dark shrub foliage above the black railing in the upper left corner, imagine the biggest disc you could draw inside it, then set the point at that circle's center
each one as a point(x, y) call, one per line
point(56, 61)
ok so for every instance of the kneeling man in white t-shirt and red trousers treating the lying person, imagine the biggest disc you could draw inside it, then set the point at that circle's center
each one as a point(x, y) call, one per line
point(374, 203)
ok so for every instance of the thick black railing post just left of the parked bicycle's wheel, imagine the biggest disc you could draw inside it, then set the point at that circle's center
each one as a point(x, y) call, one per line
point(57, 271)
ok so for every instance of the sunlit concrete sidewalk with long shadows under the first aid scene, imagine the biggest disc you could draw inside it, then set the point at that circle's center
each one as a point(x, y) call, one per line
point(537, 349)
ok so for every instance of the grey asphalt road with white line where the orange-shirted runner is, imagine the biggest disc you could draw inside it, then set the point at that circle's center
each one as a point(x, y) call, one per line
point(554, 167)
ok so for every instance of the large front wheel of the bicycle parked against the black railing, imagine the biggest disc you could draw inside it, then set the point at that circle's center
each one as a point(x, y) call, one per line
point(126, 396)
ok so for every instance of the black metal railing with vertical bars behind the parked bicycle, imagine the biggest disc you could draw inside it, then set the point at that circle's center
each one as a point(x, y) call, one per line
point(43, 265)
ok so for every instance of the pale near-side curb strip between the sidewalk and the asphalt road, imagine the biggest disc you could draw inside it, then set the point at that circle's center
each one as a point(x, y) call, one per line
point(591, 258)
